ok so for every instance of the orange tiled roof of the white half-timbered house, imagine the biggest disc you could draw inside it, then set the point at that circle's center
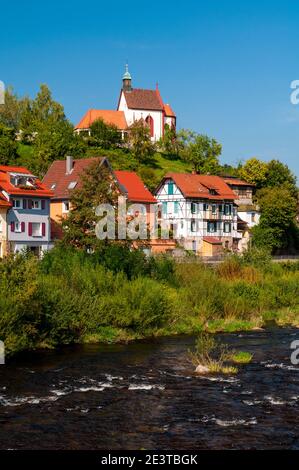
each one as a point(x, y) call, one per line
point(198, 186)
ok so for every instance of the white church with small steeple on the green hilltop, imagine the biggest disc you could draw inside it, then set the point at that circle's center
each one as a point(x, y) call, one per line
point(134, 104)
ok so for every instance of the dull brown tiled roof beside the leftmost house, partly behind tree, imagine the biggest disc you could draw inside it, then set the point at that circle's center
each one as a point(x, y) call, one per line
point(57, 175)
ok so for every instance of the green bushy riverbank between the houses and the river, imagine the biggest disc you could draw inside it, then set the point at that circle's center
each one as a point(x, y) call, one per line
point(116, 295)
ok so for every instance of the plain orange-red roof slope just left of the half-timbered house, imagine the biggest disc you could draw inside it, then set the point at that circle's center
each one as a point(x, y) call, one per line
point(134, 186)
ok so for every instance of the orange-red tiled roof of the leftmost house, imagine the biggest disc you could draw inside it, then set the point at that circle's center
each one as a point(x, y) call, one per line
point(41, 190)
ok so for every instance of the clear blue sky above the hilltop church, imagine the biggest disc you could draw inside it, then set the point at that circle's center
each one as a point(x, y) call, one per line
point(224, 66)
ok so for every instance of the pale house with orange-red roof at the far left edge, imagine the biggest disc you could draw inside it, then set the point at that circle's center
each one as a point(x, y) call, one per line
point(27, 224)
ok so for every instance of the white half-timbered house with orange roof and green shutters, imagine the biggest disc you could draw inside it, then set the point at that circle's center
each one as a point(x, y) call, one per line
point(201, 211)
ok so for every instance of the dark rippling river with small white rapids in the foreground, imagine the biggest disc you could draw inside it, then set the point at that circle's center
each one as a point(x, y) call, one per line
point(145, 396)
